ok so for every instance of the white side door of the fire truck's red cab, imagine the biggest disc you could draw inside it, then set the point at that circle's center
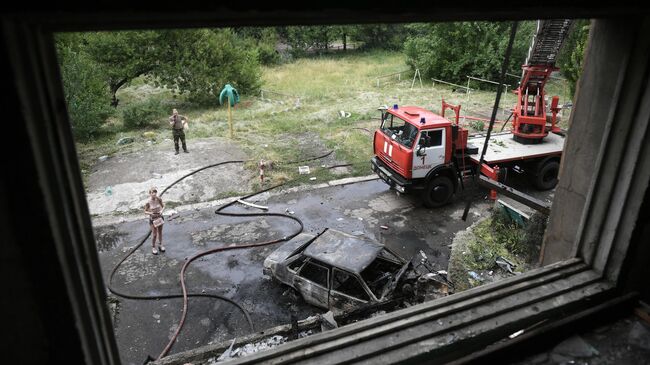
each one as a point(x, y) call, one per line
point(430, 152)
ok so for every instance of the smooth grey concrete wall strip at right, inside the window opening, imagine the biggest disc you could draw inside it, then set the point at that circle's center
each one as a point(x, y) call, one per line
point(606, 58)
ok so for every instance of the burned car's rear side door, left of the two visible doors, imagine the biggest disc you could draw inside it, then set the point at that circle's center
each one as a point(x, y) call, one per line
point(312, 282)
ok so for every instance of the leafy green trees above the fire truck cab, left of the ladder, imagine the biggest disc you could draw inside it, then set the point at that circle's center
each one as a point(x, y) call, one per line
point(453, 51)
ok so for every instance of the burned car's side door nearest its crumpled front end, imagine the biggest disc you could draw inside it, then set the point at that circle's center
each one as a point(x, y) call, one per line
point(348, 291)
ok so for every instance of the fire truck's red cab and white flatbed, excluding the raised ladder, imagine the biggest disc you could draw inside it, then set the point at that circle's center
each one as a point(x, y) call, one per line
point(418, 150)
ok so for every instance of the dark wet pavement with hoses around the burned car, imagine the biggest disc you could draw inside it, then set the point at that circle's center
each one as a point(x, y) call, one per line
point(144, 327)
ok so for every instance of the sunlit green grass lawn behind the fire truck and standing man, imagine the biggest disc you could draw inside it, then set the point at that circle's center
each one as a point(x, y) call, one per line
point(298, 115)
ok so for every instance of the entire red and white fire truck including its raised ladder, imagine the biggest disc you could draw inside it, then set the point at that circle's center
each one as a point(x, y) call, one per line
point(417, 150)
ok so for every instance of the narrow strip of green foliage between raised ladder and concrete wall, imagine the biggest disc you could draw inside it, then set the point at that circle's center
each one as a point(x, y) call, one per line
point(573, 52)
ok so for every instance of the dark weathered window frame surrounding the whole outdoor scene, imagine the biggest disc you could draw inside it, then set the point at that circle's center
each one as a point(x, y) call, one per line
point(603, 237)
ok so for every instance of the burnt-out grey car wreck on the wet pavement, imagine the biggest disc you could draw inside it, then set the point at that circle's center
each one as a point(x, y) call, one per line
point(341, 272)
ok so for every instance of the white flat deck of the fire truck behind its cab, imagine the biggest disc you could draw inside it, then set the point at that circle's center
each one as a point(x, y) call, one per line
point(503, 148)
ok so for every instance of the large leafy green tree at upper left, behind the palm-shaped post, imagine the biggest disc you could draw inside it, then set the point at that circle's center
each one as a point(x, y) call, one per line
point(198, 62)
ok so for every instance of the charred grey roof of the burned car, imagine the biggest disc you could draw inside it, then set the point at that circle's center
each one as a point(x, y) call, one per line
point(344, 250)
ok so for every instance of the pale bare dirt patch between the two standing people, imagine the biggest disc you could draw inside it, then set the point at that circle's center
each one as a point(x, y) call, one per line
point(119, 184)
